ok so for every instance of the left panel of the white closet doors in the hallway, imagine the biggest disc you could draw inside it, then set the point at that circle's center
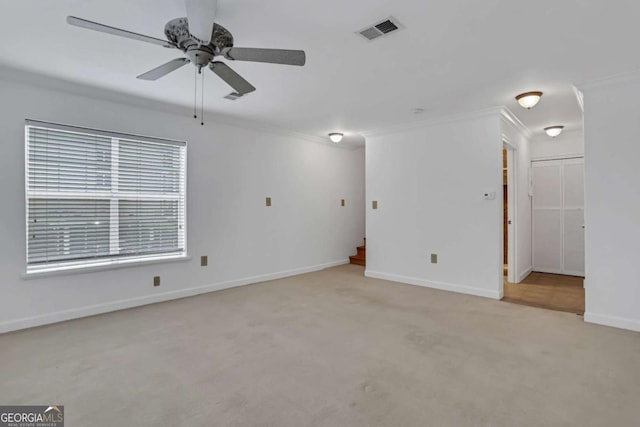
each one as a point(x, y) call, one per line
point(547, 216)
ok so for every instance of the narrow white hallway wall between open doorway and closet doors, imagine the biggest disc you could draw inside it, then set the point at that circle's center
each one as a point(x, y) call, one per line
point(516, 135)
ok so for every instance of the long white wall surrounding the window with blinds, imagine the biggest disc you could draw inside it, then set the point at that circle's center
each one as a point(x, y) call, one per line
point(230, 172)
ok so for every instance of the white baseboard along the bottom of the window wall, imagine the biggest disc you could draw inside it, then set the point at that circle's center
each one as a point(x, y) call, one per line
point(76, 313)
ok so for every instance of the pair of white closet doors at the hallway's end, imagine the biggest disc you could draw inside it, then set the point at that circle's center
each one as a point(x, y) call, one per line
point(558, 216)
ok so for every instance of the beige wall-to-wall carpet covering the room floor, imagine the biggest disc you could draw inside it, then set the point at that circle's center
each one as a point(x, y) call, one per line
point(328, 349)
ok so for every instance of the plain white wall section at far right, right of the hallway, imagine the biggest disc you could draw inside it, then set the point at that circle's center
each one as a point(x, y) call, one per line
point(612, 184)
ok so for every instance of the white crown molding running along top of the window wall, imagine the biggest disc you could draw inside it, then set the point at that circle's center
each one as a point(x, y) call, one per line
point(16, 75)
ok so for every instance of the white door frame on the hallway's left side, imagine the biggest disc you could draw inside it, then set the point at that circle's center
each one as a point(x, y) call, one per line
point(512, 213)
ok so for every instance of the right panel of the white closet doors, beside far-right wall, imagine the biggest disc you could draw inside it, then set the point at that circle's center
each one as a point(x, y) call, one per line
point(573, 189)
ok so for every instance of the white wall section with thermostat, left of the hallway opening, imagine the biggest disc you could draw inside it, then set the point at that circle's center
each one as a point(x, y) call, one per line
point(429, 184)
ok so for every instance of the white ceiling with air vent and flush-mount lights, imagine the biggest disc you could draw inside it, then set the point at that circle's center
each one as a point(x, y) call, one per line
point(452, 57)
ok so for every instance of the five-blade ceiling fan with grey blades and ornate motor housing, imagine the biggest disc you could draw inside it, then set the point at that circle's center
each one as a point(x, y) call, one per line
point(203, 41)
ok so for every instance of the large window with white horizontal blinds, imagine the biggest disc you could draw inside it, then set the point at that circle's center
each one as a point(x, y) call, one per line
point(99, 198)
